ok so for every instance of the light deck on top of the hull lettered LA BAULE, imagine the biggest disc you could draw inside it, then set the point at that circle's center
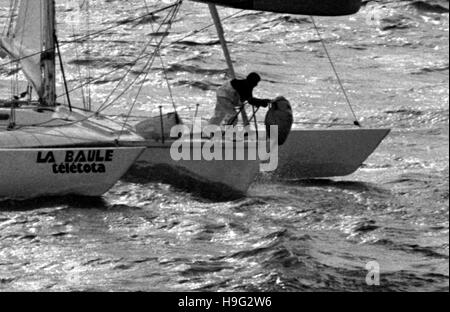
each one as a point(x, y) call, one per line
point(55, 127)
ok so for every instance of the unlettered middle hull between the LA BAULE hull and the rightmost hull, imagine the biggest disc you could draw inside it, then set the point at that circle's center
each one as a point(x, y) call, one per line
point(227, 177)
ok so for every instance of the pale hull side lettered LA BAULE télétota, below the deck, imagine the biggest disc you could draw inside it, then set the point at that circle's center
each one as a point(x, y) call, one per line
point(30, 173)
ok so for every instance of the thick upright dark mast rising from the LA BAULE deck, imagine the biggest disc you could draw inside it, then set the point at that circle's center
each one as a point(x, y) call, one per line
point(48, 56)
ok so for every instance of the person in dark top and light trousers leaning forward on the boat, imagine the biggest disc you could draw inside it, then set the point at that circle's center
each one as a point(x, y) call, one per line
point(234, 94)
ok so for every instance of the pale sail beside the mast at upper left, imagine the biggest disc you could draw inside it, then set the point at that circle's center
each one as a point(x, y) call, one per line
point(24, 42)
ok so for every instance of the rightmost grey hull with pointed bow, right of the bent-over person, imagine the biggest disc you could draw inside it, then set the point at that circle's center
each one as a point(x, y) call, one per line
point(327, 153)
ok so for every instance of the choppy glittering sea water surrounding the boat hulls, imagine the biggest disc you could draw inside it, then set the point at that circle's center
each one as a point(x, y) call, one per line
point(313, 235)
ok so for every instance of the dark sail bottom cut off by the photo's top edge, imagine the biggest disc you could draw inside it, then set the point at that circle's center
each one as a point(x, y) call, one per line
point(303, 7)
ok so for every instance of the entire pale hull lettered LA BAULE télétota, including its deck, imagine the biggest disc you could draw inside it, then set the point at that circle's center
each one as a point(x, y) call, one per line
point(55, 152)
